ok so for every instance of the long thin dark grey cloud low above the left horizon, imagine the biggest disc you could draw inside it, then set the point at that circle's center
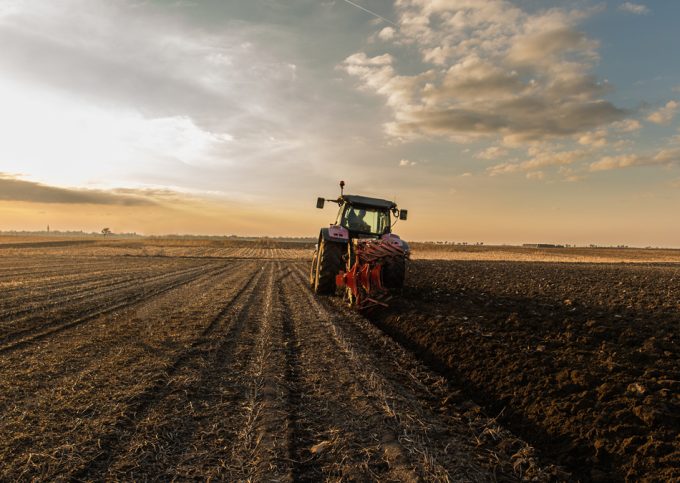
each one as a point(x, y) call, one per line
point(13, 189)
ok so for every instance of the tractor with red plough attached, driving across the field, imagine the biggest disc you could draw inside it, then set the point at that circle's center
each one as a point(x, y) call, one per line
point(358, 255)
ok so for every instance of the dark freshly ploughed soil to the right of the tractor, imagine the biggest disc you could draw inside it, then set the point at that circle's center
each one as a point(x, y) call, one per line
point(580, 359)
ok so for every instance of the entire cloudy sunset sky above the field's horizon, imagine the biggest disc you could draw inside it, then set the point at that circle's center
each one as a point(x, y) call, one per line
point(523, 121)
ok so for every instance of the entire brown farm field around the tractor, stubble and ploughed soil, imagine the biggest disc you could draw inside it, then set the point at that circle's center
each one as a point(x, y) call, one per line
point(143, 359)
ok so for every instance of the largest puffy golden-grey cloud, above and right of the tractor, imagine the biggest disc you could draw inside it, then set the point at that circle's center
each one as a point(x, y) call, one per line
point(490, 70)
